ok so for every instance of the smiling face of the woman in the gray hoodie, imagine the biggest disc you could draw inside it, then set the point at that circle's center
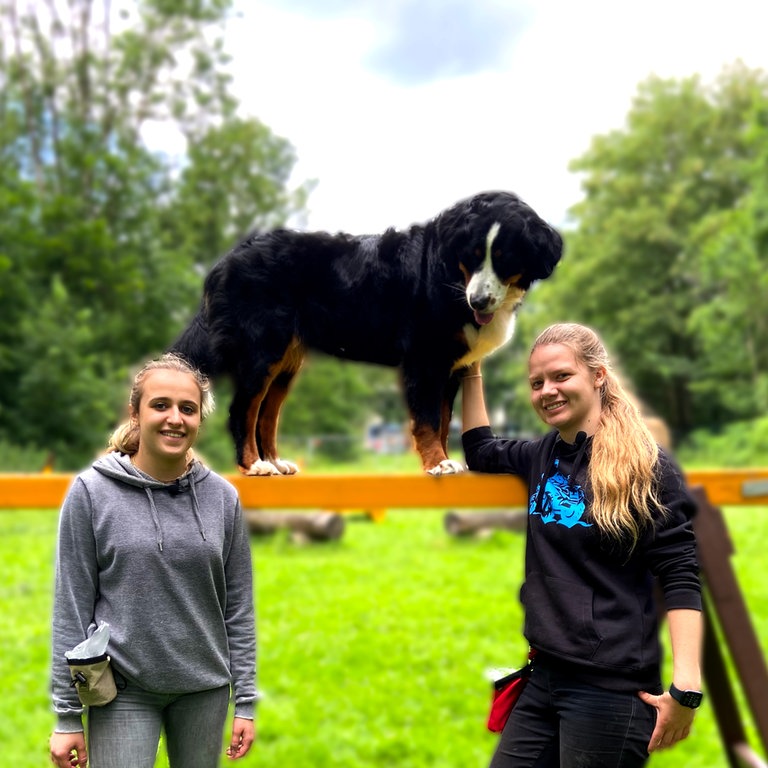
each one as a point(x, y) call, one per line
point(168, 417)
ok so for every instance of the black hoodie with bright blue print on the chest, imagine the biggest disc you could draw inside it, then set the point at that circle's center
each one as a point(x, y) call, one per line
point(589, 601)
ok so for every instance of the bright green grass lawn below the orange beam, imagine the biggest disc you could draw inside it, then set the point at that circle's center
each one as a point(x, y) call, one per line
point(372, 648)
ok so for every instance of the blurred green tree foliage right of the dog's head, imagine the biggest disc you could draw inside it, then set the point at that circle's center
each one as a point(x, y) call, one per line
point(668, 255)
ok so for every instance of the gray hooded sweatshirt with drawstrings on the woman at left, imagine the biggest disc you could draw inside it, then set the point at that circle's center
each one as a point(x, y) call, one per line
point(168, 567)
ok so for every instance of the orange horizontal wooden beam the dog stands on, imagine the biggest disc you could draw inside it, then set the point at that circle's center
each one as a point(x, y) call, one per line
point(724, 487)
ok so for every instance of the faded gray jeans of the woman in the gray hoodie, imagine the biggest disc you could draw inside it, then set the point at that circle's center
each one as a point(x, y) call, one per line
point(126, 732)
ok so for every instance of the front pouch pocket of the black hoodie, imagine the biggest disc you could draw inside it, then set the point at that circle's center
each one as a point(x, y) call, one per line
point(559, 617)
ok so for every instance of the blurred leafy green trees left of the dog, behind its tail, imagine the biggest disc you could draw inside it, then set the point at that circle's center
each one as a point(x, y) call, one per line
point(105, 239)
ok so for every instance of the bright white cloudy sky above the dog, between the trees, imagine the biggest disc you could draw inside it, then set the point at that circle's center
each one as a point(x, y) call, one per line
point(399, 108)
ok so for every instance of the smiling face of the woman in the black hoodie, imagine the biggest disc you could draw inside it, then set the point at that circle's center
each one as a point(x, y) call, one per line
point(565, 393)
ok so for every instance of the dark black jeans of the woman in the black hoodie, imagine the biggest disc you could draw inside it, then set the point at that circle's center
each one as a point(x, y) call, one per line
point(560, 723)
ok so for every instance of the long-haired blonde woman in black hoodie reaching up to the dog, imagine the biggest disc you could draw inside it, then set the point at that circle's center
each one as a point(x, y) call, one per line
point(609, 517)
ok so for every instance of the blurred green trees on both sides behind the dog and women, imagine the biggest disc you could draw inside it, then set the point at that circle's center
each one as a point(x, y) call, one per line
point(104, 242)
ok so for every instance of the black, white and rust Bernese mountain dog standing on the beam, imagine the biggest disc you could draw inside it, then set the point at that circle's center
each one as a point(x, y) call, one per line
point(428, 300)
